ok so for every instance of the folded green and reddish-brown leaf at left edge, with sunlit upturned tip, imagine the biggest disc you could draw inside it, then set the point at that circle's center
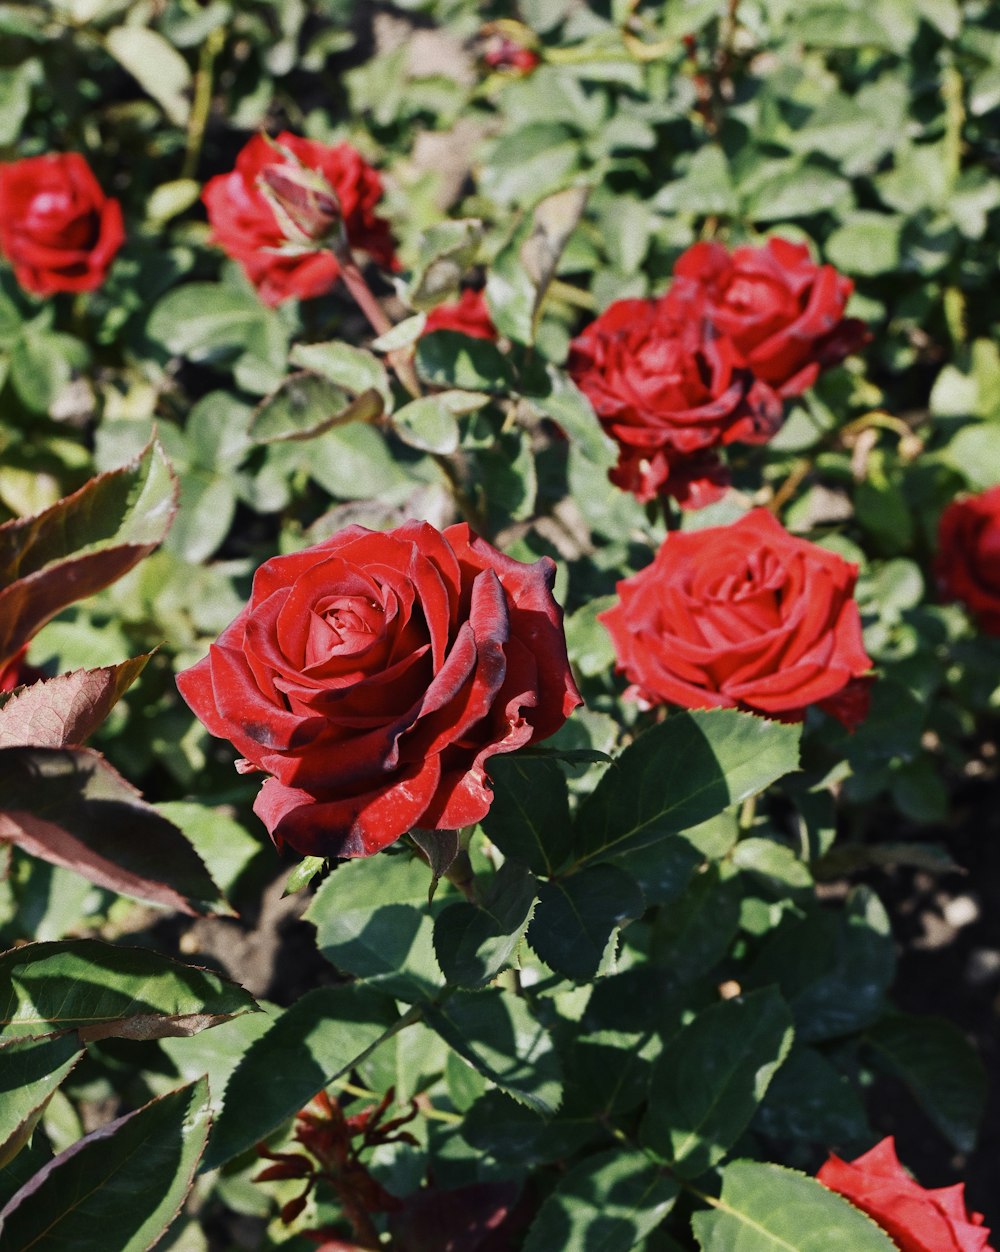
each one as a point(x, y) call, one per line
point(82, 544)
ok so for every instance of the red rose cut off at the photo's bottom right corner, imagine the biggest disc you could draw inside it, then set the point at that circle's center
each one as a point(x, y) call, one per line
point(918, 1220)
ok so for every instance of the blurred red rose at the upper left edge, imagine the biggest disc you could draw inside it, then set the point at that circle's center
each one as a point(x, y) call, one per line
point(58, 230)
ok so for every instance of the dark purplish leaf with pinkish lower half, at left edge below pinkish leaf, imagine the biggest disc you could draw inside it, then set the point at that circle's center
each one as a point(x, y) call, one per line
point(69, 807)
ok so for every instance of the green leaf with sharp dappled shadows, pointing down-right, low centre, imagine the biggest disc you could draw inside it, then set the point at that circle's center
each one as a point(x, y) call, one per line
point(499, 1037)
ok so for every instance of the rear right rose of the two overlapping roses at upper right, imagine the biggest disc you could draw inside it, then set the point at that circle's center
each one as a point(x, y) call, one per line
point(784, 314)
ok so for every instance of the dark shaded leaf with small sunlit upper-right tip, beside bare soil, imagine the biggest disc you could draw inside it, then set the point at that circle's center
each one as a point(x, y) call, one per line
point(833, 970)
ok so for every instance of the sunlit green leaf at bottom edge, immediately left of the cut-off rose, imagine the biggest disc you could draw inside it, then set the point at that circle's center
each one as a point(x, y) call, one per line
point(769, 1209)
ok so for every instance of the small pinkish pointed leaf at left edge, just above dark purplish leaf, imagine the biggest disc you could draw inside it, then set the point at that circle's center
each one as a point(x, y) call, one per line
point(63, 712)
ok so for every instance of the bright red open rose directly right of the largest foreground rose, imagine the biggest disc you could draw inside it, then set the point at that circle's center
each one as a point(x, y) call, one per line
point(743, 617)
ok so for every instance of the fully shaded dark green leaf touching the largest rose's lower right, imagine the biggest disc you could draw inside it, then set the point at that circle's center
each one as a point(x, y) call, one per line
point(530, 817)
